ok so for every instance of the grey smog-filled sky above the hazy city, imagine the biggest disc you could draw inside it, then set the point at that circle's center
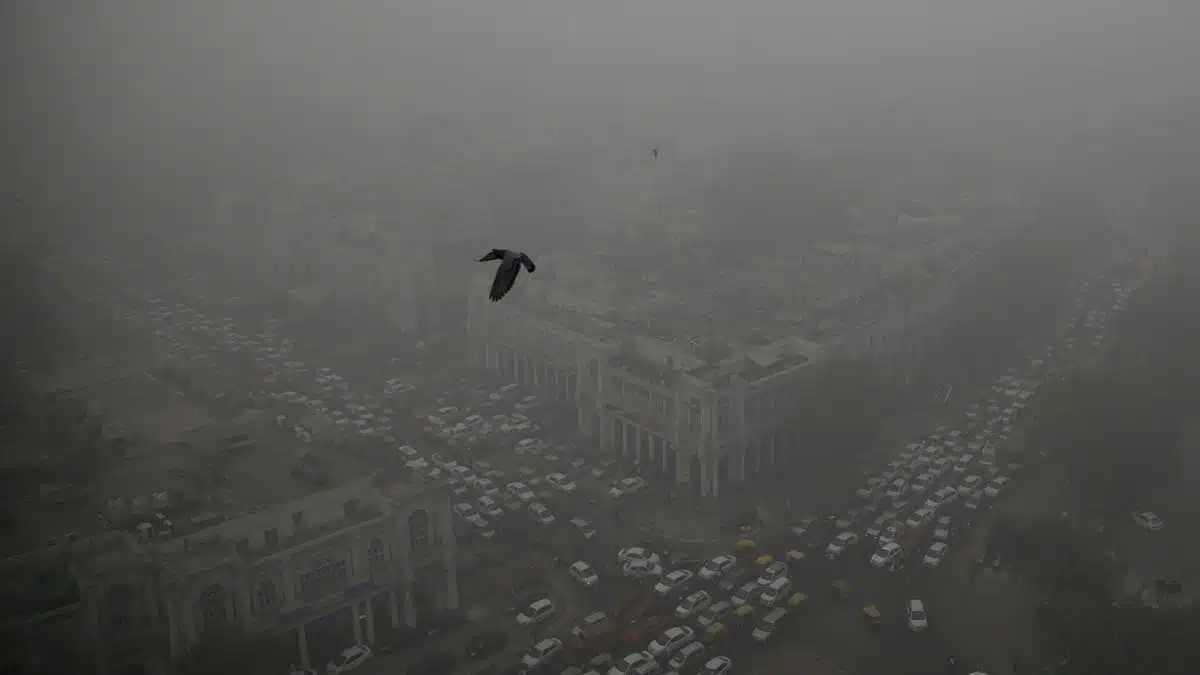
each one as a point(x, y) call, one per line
point(101, 83)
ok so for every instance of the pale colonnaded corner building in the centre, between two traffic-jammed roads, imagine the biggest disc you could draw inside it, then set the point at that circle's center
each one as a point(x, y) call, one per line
point(704, 411)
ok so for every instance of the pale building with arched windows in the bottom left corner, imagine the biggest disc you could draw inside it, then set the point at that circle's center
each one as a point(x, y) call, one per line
point(349, 558)
